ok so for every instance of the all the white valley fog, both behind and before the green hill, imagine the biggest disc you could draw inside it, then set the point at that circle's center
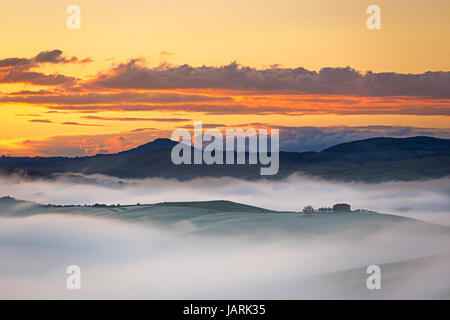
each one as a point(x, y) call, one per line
point(122, 259)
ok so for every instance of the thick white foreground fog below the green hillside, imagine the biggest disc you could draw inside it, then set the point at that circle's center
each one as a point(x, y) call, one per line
point(142, 261)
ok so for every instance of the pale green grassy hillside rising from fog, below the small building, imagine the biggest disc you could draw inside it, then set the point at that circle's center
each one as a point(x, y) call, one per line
point(226, 217)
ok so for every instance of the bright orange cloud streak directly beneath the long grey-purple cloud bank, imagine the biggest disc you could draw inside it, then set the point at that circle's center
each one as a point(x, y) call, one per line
point(219, 103)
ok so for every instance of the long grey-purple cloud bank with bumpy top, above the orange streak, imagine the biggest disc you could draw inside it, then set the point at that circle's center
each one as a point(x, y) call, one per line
point(336, 81)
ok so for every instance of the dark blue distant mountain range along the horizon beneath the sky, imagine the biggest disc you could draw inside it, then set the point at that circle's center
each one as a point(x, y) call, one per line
point(370, 160)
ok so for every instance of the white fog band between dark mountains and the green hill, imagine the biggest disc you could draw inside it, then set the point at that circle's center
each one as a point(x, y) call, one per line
point(425, 200)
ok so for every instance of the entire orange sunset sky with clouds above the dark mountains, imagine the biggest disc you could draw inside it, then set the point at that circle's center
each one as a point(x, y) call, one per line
point(137, 70)
